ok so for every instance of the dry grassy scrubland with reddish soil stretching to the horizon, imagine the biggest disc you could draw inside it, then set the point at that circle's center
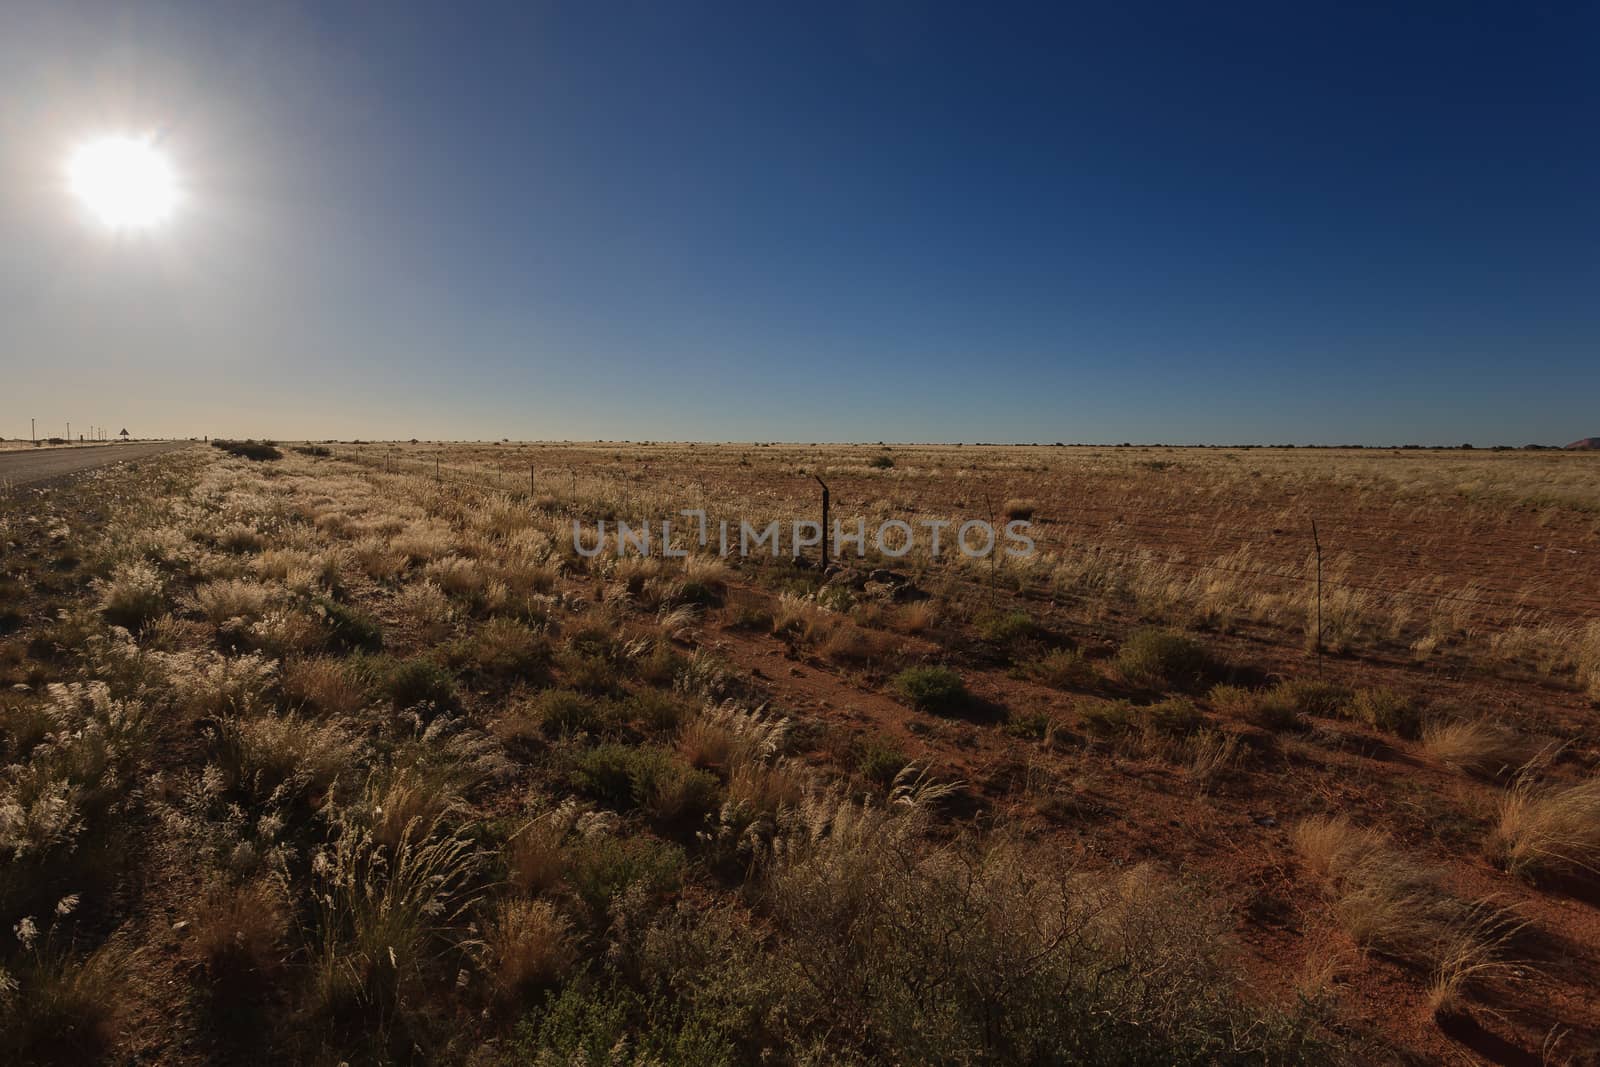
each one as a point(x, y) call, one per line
point(324, 759)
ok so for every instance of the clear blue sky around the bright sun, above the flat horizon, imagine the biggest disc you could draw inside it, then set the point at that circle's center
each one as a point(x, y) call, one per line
point(754, 222)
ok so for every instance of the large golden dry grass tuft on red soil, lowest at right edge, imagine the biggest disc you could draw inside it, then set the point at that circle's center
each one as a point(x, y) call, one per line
point(1550, 831)
